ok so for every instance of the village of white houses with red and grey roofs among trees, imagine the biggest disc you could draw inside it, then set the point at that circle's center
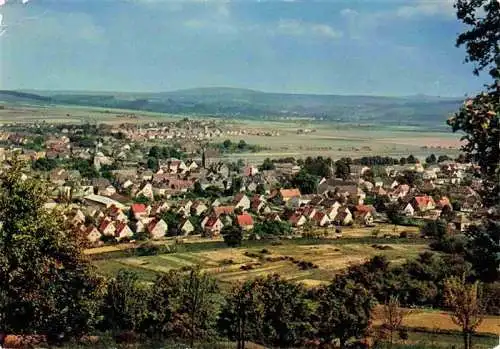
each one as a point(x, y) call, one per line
point(121, 184)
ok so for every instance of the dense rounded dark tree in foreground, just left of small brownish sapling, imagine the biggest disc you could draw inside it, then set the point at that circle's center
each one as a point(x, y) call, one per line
point(344, 311)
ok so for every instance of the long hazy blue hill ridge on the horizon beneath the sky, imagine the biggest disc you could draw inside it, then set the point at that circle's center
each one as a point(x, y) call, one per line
point(244, 103)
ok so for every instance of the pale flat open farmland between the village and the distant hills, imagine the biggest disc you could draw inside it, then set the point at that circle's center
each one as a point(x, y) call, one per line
point(329, 139)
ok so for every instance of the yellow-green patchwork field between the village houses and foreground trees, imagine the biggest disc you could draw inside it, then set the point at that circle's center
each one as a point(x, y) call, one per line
point(228, 264)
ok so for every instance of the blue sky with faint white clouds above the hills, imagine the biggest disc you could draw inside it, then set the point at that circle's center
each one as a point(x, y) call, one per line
point(362, 47)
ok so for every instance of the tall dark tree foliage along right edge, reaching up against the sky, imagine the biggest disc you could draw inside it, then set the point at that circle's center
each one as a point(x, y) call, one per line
point(479, 119)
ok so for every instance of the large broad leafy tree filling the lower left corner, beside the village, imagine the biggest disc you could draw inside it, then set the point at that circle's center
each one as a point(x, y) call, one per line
point(48, 286)
